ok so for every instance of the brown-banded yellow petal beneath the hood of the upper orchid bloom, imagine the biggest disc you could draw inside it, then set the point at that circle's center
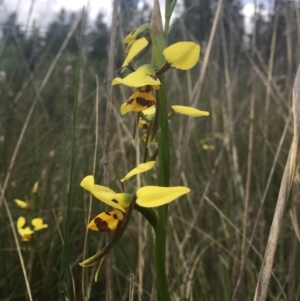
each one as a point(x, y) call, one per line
point(140, 100)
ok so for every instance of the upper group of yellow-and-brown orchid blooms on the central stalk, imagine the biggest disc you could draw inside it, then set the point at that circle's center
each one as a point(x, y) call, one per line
point(145, 78)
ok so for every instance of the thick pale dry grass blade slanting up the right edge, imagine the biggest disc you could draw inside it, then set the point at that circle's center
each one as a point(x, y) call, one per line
point(266, 269)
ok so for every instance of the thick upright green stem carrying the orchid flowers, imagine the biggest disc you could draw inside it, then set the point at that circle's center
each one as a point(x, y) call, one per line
point(159, 43)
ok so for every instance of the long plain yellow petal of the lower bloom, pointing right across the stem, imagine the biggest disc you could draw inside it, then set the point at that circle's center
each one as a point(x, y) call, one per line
point(153, 196)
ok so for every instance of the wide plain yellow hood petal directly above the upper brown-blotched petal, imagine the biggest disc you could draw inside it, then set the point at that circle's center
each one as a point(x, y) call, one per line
point(143, 76)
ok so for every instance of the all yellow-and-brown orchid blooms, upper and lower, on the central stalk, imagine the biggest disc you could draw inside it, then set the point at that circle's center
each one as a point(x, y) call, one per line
point(146, 80)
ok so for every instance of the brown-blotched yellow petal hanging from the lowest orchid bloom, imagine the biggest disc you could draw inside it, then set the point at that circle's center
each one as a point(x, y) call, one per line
point(106, 221)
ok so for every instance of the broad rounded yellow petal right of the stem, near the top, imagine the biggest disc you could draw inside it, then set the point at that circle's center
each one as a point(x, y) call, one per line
point(182, 55)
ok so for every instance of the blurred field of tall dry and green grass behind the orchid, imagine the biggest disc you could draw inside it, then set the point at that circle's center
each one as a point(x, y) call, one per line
point(217, 234)
